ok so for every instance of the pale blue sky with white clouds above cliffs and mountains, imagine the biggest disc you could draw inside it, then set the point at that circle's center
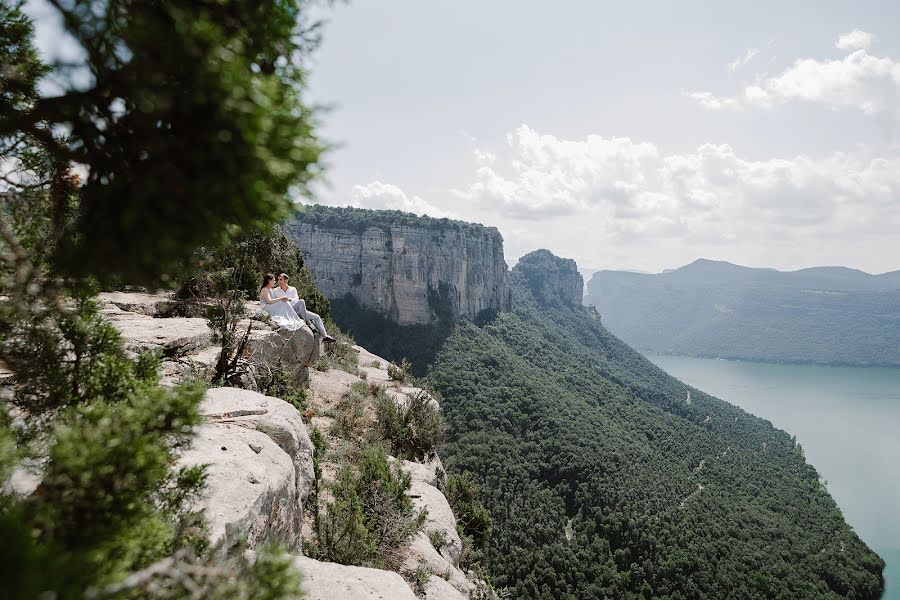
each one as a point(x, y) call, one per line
point(639, 135)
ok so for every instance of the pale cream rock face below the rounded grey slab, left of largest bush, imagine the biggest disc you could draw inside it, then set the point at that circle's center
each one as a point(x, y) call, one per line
point(251, 491)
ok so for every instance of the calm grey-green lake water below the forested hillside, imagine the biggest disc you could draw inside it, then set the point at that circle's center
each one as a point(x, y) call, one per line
point(848, 421)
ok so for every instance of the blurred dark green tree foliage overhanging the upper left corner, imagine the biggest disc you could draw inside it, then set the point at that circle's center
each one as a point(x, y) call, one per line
point(191, 129)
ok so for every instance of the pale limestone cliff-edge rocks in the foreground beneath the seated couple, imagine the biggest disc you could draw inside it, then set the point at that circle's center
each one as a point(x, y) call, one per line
point(263, 471)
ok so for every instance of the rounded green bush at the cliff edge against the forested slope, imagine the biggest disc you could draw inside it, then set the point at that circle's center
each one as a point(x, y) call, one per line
point(414, 430)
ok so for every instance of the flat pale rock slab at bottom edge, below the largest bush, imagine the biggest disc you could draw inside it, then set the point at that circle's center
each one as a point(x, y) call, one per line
point(332, 581)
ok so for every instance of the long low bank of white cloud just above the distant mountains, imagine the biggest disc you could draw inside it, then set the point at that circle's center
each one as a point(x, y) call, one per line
point(630, 190)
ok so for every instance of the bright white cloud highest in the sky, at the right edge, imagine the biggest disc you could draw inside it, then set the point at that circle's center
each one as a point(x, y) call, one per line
point(858, 81)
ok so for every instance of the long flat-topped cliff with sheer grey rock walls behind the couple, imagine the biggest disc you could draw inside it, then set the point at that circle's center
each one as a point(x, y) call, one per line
point(413, 270)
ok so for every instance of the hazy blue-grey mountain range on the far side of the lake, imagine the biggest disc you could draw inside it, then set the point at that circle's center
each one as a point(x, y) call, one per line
point(823, 315)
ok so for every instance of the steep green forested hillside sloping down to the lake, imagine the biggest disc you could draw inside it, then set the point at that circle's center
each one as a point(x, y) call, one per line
point(608, 478)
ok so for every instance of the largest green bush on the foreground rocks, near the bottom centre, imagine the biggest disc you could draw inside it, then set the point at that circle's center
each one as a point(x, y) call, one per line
point(371, 517)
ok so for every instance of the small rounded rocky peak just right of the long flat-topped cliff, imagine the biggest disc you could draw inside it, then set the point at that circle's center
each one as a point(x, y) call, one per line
point(553, 280)
